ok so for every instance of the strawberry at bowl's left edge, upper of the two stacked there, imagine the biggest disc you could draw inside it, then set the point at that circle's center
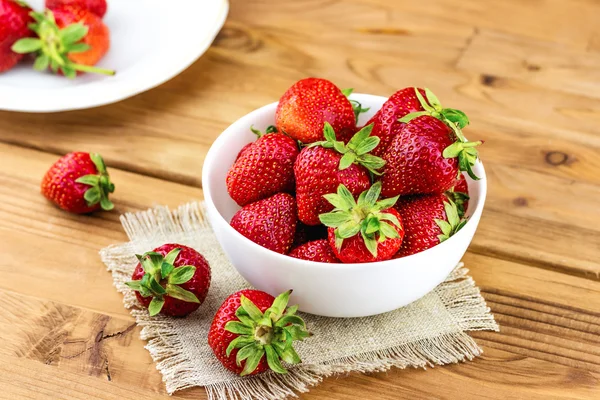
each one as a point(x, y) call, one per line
point(263, 168)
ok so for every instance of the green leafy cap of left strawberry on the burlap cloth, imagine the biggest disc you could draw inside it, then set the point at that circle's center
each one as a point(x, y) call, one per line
point(162, 279)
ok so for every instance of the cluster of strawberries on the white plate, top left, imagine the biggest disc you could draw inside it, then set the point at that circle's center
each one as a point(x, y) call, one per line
point(68, 38)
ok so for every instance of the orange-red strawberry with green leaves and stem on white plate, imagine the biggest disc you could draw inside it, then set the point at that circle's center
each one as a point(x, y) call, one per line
point(71, 40)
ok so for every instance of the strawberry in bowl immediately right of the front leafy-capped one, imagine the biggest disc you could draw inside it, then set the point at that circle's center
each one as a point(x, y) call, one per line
point(428, 220)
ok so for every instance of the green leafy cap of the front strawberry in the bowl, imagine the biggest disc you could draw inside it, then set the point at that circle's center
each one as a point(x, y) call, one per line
point(366, 216)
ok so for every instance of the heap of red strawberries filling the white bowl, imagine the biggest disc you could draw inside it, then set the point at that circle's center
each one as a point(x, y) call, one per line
point(317, 187)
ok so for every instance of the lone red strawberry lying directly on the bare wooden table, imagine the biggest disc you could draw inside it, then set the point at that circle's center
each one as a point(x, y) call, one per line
point(79, 183)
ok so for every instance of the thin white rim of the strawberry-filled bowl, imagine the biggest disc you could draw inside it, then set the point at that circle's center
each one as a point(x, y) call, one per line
point(211, 157)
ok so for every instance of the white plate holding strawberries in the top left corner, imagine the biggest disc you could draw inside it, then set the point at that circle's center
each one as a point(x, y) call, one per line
point(151, 42)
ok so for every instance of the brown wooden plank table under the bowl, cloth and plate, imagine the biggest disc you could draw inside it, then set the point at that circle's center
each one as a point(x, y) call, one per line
point(526, 72)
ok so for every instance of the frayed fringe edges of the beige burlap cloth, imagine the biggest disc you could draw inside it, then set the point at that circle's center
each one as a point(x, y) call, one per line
point(458, 294)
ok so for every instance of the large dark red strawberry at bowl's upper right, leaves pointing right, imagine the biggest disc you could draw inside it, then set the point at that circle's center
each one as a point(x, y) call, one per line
point(428, 153)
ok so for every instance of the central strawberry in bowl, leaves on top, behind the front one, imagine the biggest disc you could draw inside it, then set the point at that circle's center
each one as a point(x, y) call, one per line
point(322, 166)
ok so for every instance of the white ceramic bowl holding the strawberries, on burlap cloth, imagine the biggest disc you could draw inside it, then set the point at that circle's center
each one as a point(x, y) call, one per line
point(334, 290)
